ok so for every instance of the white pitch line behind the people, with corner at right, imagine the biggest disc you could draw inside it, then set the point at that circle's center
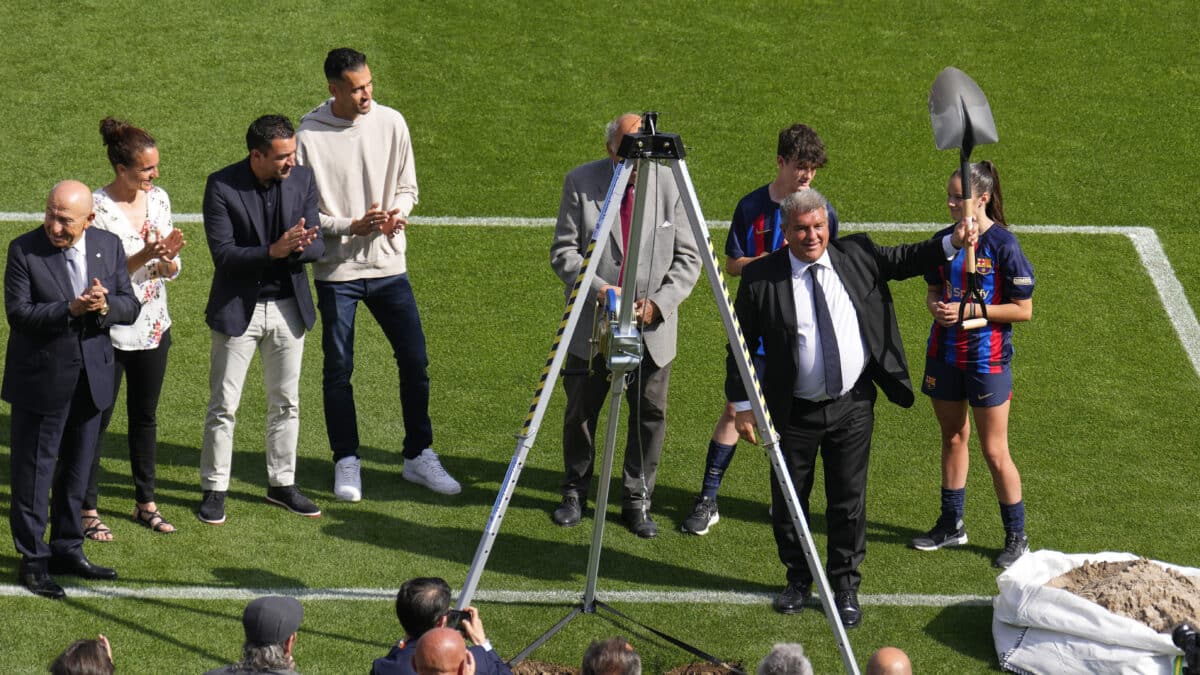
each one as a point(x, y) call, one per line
point(1150, 252)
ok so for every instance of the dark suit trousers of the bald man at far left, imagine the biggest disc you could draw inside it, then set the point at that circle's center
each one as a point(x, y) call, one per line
point(50, 462)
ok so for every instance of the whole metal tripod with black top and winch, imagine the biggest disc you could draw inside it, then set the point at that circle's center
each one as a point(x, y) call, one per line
point(625, 356)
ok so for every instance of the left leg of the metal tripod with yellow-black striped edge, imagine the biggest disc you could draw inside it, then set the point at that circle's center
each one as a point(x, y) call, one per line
point(567, 328)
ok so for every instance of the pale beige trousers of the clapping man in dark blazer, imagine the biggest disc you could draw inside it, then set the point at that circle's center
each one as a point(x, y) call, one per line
point(277, 332)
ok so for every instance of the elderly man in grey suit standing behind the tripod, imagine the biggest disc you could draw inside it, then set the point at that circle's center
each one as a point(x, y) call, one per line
point(668, 271)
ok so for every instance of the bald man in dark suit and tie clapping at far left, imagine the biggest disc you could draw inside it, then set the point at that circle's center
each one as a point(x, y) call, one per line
point(58, 377)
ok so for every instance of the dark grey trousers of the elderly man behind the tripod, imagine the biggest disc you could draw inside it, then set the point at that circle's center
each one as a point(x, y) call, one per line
point(586, 397)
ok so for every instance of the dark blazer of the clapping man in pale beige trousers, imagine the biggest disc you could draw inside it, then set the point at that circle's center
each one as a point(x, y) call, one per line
point(239, 242)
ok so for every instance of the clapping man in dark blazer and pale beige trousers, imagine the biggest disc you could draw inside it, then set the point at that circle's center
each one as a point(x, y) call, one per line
point(262, 225)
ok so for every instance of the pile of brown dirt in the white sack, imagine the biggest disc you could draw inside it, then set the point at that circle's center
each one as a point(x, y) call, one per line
point(1139, 589)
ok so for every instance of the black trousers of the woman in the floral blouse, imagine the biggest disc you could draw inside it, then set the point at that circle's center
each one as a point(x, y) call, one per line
point(146, 372)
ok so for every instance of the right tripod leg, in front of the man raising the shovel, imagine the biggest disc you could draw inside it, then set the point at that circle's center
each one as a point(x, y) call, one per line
point(763, 417)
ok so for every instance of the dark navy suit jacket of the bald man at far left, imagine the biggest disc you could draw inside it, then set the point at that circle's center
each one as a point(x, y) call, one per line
point(47, 347)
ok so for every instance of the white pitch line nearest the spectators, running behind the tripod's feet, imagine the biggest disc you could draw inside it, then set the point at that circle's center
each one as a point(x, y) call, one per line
point(500, 598)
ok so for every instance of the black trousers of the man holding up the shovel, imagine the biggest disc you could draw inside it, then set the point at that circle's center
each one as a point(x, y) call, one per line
point(841, 431)
